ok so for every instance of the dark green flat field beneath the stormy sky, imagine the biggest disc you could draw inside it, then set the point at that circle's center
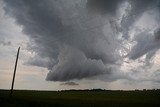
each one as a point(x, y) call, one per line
point(98, 98)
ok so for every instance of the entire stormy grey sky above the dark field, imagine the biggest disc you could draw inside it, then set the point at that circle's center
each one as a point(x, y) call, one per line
point(80, 44)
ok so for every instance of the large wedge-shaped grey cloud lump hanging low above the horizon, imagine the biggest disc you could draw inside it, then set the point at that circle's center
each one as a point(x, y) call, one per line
point(73, 64)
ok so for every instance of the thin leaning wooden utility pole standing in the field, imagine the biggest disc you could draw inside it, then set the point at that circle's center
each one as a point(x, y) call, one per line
point(14, 72)
